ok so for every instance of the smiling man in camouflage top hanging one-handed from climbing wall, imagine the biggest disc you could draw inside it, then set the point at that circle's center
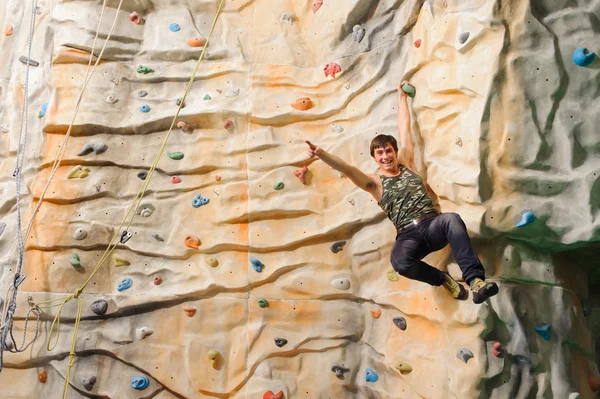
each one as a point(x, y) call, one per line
point(421, 229)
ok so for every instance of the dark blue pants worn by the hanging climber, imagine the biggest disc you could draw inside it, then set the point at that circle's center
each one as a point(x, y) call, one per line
point(431, 235)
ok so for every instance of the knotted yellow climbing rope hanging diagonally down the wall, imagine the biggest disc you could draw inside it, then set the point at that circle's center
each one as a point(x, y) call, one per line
point(130, 215)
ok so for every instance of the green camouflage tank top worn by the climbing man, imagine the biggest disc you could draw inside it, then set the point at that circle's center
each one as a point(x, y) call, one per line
point(404, 197)
